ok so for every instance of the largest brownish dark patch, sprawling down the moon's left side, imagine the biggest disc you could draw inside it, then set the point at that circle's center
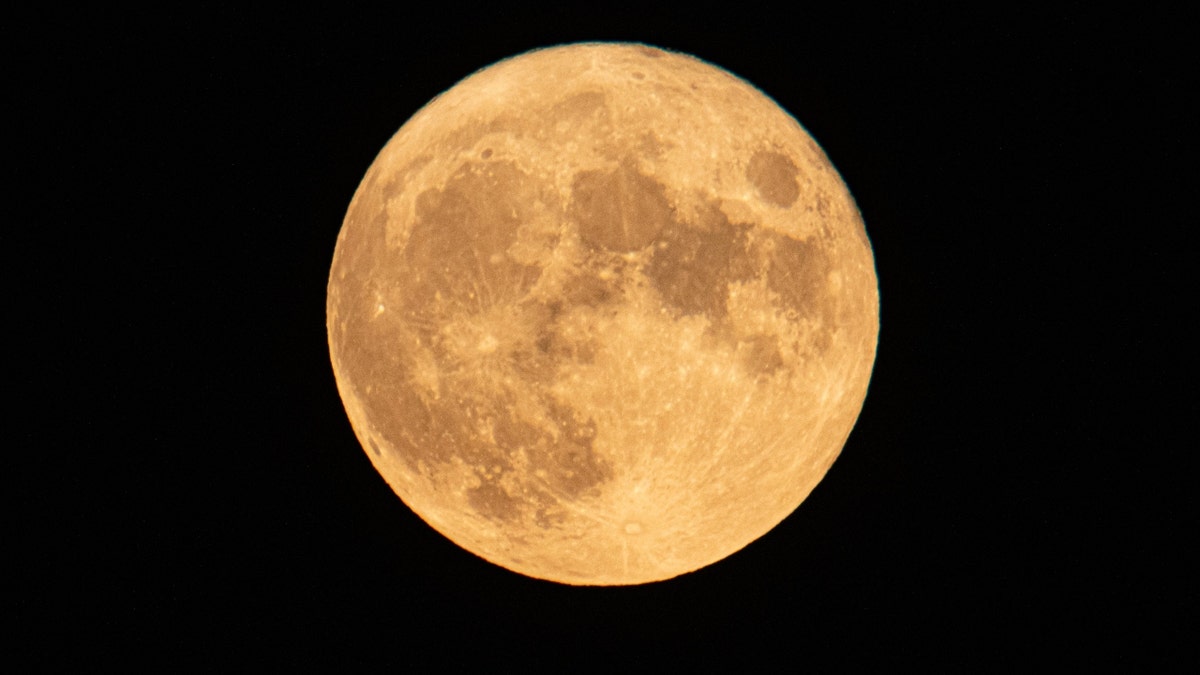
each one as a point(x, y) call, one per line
point(459, 285)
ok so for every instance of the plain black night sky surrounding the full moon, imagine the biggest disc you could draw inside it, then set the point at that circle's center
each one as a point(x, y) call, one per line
point(189, 489)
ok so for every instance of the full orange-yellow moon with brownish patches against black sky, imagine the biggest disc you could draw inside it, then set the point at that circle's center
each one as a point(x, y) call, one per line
point(603, 314)
